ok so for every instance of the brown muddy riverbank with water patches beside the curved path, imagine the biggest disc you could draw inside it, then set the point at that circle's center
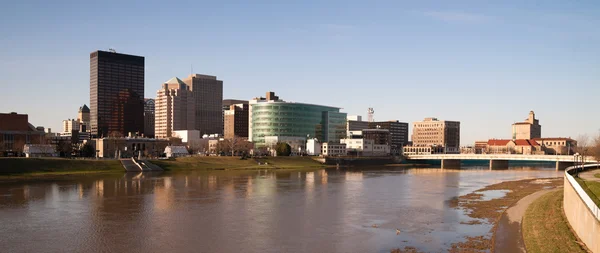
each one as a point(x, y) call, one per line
point(488, 211)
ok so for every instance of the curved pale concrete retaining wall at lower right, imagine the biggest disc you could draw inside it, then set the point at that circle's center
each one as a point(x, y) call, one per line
point(582, 213)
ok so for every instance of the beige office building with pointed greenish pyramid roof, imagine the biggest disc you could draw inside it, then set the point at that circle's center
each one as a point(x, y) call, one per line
point(174, 108)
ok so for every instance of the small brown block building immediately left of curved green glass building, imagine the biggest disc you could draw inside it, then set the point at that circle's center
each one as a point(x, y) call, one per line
point(236, 121)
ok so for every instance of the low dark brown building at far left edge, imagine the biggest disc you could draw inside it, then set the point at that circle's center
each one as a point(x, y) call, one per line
point(15, 132)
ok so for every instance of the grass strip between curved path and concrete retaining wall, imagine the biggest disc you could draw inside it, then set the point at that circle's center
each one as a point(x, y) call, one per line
point(545, 229)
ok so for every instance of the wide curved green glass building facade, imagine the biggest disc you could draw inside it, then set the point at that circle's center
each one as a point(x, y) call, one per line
point(296, 119)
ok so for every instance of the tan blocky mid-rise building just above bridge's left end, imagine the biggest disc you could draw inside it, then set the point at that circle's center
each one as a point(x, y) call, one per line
point(437, 133)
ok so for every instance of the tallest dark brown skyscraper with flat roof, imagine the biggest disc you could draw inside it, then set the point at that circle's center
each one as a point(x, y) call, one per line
point(116, 93)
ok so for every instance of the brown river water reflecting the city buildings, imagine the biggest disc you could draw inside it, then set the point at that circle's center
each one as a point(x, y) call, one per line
point(327, 210)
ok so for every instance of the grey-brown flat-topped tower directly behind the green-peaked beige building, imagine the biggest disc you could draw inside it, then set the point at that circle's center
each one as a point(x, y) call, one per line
point(208, 94)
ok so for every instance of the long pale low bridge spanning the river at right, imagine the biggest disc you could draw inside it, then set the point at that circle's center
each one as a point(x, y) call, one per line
point(500, 161)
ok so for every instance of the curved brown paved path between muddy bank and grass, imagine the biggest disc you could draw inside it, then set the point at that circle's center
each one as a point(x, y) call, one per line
point(509, 237)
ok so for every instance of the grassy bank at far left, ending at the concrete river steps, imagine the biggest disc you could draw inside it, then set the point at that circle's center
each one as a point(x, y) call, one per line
point(55, 166)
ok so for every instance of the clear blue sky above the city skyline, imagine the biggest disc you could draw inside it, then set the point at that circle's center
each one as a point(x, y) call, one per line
point(484, 64)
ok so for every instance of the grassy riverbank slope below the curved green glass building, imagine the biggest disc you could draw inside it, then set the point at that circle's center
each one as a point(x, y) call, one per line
point(235, 163)
